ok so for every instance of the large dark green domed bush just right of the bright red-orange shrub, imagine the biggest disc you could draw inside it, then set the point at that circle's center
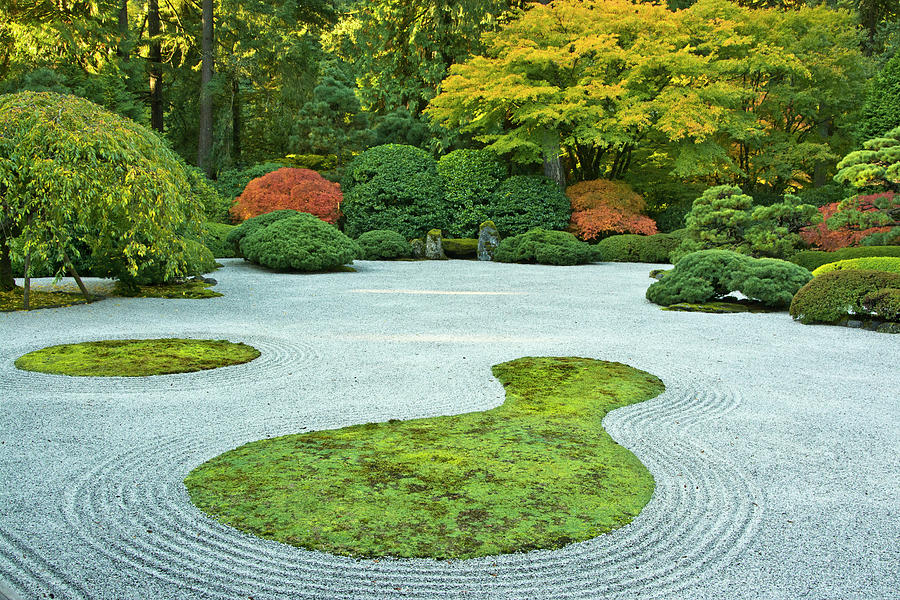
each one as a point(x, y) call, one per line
point(394, 187)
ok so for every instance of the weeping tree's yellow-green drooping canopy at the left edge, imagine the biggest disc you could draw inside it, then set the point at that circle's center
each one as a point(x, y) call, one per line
point(72, 172)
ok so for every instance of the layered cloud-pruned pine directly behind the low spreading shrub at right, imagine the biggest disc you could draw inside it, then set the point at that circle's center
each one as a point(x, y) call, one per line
point(725, 218)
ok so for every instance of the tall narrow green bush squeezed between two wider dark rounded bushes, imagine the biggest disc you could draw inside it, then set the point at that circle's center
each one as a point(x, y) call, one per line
point(470, 179)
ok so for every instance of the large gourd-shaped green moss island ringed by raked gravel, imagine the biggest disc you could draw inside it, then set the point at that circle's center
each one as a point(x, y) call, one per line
point(538, 471)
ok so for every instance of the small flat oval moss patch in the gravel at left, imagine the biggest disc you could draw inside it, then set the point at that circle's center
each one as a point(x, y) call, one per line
point(136, 358)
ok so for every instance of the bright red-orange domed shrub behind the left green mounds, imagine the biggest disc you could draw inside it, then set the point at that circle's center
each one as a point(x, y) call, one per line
point(297, 189)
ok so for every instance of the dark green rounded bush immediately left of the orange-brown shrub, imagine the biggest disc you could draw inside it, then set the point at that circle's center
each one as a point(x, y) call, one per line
point(525, 202)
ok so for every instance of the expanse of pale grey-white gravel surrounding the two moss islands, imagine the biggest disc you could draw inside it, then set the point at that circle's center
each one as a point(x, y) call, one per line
point(776, 447)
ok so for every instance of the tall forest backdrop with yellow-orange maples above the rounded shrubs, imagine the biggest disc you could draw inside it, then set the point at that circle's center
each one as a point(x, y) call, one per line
point(783, 90)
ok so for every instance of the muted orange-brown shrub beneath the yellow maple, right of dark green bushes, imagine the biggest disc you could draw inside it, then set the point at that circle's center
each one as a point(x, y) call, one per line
point(604, 206)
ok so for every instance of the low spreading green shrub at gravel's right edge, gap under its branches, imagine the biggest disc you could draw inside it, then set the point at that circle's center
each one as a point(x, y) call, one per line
point(709, 274)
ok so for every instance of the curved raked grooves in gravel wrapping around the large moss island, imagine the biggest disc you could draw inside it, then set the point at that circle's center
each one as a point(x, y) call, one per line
point(702, 502)
